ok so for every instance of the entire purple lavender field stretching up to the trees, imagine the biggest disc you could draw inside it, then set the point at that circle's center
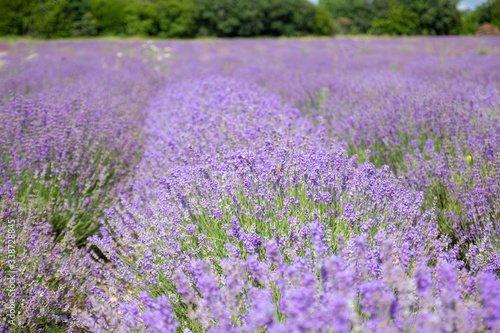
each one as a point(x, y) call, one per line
point(286, 185)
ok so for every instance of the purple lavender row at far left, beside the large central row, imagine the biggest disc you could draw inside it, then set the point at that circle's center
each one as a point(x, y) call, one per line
point(70, 135)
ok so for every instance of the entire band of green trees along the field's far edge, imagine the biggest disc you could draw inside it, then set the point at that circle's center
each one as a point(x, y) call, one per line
point(240, 18)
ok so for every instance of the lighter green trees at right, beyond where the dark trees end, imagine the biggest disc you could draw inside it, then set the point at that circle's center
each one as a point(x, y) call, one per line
point(410, 17)
